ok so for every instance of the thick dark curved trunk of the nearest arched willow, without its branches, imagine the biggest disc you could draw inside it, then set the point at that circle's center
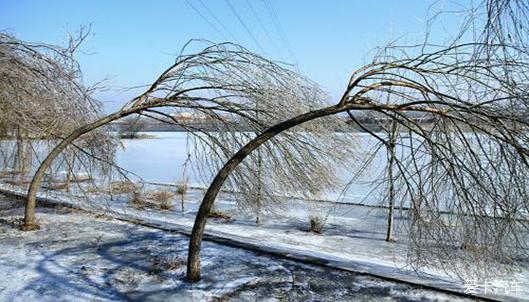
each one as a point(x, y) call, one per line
point(193, 258)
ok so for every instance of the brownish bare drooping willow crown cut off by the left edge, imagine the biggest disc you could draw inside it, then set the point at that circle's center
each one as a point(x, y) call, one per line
point(43, 99)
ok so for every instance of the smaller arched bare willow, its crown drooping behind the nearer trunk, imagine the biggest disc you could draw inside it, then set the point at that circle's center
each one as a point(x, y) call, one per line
point(223, 83)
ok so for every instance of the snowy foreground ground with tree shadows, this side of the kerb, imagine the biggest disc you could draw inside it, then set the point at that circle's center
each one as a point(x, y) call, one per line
point(77, 256)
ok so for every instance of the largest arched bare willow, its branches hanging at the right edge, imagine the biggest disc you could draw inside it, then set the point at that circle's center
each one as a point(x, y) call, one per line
point(464, 176)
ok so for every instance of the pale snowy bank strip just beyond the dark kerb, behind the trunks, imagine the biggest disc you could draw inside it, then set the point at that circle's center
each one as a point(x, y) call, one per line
point(352, 238)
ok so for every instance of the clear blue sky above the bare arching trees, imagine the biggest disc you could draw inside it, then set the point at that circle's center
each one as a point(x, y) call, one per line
point(133, 41)
